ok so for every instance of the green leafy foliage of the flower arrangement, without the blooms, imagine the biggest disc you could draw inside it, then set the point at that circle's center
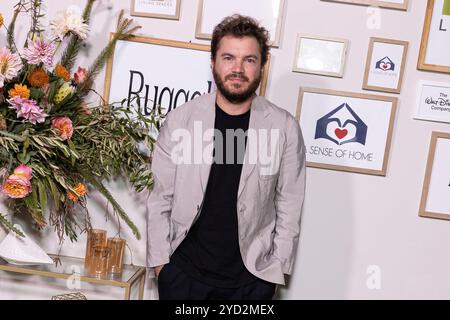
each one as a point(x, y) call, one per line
point(106, 141)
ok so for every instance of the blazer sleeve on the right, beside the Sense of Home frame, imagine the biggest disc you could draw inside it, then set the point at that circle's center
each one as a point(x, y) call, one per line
point(289, 196)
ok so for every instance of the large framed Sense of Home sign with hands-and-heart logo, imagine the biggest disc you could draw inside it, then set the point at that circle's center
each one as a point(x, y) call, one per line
point(346, 131)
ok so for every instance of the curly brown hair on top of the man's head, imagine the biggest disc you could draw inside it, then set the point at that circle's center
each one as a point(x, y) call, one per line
point(241, 26)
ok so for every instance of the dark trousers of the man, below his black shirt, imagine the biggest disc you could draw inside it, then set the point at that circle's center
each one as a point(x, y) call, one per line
point(175, 284)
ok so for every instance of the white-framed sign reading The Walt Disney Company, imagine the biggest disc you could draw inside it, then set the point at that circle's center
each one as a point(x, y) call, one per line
point(433, 101)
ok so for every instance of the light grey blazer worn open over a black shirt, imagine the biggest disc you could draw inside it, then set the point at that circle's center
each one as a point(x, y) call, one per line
point(270, 195)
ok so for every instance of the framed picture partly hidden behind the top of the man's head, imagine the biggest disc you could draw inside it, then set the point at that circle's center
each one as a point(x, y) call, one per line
point(268, 12)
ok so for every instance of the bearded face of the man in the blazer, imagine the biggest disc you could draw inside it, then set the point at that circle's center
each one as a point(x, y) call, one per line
point(237, 68)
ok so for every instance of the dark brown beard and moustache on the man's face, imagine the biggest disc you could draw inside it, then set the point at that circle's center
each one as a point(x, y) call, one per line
point(239, 96)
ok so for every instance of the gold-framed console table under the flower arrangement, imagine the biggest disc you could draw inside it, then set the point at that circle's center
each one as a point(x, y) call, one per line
point(59, 270)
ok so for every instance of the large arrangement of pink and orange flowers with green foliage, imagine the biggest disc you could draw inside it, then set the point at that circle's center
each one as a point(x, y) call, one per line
point(53, 146)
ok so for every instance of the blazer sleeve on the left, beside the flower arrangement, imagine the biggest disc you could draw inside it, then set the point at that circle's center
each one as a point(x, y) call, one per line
point(160, 199)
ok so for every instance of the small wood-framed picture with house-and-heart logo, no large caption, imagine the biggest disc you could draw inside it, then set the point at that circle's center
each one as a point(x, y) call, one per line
point(385, 65)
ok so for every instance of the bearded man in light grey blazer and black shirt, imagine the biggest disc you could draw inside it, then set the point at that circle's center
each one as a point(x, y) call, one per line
point(224, 217)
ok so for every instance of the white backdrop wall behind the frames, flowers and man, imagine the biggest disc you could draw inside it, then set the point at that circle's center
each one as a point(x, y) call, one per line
point(356, 228)
